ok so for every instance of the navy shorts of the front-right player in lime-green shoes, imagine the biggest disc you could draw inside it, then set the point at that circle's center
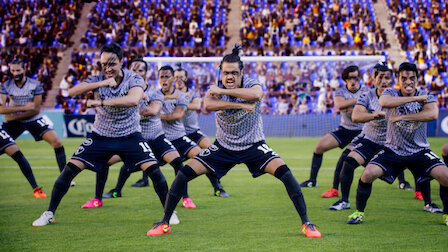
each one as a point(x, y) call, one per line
point(420, 164)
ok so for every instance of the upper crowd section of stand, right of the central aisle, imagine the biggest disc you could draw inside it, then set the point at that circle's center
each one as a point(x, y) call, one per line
point(309, 24)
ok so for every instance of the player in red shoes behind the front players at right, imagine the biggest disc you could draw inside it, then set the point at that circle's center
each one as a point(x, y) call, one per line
point(345, 99)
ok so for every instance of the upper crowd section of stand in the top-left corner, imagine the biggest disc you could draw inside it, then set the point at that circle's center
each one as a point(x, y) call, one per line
point(38, 23)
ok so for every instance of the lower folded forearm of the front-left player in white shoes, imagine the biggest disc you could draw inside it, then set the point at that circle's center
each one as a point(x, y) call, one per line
point(132, 99)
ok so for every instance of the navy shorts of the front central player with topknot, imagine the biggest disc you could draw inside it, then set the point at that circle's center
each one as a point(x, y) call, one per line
point(219, 160)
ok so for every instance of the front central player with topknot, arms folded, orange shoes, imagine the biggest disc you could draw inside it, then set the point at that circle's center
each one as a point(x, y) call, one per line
point(239, 139)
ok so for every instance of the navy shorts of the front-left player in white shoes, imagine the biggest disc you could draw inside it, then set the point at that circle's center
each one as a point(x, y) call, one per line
point(96, 150)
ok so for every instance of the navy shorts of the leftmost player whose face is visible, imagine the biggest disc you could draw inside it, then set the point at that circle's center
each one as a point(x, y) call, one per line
point(37, 128)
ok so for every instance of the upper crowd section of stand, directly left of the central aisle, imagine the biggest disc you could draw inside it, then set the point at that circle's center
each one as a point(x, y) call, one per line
point(155, 23)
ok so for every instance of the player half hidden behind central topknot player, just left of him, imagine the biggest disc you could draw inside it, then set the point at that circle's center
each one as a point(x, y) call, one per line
point(192, 125)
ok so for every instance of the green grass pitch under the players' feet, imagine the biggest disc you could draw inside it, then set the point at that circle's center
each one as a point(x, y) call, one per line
point(258, 216)
